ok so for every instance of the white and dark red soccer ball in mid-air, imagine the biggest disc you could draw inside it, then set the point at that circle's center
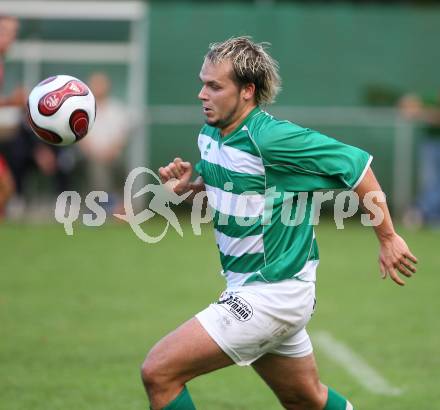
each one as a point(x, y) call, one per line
point(61, 110)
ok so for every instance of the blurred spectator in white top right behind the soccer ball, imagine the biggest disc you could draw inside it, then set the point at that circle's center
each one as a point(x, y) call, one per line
point(103, 146)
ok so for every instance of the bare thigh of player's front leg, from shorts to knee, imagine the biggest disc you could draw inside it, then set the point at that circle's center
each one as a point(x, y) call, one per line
point(187, 352)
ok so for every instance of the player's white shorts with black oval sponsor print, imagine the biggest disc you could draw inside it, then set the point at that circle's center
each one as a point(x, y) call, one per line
point(250, 321)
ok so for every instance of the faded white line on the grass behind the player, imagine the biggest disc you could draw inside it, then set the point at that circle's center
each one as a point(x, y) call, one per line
point(355, 365)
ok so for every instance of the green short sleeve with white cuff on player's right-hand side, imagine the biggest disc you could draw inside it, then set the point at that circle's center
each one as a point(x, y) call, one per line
point(333, 164)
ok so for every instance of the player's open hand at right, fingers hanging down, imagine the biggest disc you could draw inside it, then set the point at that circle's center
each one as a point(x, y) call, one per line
point(395, 256)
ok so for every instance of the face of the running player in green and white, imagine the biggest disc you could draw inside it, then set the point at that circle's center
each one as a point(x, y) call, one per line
point(221, 97)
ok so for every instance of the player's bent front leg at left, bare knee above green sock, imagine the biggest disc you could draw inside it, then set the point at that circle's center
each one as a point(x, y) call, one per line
point(177, 358)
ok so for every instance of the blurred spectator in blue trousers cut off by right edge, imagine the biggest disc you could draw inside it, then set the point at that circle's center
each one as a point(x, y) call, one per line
point(426, 209)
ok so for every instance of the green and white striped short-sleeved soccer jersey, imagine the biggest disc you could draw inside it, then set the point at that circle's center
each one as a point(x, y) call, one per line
point(250, 173)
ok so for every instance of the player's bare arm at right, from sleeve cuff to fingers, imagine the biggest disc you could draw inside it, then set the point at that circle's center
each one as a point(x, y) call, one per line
point(394, 253)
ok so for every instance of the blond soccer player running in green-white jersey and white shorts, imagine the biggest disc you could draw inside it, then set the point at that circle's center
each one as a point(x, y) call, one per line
point(269, 265)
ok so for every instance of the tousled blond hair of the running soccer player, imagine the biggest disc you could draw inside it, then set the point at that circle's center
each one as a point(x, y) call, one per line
point(251, 64)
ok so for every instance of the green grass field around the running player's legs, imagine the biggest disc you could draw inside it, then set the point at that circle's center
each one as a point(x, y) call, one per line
point(78, 314)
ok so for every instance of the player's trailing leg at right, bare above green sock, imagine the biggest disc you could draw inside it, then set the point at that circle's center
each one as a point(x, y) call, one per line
point(295, 382)
